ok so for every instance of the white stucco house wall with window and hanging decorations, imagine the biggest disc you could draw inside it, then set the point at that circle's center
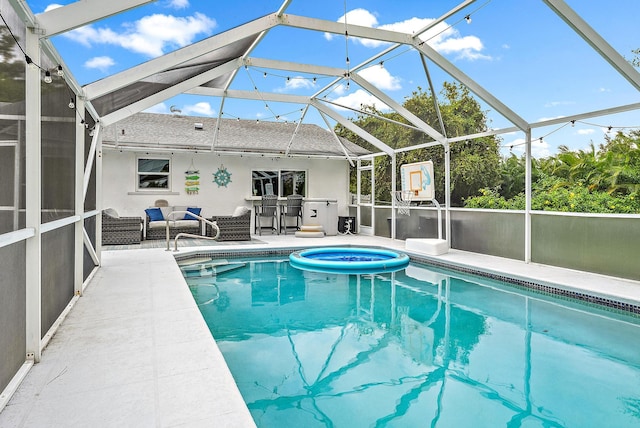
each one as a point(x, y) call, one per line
point(325, 179)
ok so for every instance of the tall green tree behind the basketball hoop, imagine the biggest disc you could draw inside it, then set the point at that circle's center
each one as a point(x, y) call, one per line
point(474, 163)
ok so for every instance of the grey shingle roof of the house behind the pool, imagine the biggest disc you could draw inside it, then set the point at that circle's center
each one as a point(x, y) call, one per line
point(150, 130)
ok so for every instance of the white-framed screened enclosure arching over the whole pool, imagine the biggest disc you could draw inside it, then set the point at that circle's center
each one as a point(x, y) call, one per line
point(52, 126)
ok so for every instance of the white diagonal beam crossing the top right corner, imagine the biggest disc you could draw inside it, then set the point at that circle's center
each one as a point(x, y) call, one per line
point(596, 41)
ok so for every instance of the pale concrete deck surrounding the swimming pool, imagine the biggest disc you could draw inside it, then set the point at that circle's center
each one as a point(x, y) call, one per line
point(134, 350)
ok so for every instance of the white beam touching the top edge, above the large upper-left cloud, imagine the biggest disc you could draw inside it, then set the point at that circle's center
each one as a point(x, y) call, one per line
point(79, 13)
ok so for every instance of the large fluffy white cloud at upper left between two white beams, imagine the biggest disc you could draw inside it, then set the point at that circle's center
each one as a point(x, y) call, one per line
point(151, 35)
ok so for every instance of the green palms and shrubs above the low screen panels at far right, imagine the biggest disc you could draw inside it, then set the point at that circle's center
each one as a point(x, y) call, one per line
point(605, 179)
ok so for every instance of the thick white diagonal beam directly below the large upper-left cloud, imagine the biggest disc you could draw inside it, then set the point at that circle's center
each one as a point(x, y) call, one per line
point(175, 58)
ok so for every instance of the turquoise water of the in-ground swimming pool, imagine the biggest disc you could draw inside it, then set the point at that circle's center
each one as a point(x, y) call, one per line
point(414, 348)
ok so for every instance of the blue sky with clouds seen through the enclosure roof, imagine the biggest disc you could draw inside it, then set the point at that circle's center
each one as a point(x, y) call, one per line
point(518, 50)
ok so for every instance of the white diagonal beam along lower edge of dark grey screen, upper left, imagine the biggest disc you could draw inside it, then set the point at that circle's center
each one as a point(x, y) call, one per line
point(170, 92)
